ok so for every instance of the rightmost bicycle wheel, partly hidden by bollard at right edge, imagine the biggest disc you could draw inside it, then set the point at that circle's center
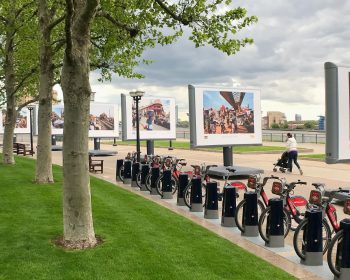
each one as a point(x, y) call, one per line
point(334, 253)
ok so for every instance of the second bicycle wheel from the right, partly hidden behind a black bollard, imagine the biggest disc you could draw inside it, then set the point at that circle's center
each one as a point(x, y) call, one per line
point(298, 239)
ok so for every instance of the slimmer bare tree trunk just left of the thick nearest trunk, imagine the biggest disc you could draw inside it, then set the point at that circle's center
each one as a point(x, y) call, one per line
point(44, 157)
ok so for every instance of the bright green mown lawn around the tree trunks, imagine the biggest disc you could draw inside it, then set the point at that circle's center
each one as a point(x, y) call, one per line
point(142, 239)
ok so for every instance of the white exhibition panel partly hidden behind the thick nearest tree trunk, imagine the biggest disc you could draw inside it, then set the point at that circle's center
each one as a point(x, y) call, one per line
point(103, 120)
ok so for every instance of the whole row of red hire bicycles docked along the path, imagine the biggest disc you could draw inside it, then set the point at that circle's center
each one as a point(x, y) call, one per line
point(295, 206)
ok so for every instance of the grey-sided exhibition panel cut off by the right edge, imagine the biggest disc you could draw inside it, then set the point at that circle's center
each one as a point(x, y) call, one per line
point(337, 113)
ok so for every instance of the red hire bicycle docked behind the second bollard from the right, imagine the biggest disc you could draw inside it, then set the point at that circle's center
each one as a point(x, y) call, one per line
point(317, 200)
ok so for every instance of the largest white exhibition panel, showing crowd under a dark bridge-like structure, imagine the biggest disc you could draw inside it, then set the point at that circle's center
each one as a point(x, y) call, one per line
point(224, 116)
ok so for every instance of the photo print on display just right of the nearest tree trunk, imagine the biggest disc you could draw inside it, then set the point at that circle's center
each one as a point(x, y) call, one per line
point(101, 117)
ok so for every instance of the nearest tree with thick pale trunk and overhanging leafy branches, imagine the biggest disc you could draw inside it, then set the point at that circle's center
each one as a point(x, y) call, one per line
point(120, 31)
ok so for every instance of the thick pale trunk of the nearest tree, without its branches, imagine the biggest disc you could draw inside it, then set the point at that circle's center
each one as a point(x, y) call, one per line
point(77, 213)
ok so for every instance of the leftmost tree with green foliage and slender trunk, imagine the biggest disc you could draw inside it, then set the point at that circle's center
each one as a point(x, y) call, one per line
point(18, 47)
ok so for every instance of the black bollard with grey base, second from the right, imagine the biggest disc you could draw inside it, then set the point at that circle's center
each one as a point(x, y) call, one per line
point(313, 238)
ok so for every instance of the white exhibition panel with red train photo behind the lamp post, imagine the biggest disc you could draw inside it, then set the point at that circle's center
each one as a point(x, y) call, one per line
point(156, 115)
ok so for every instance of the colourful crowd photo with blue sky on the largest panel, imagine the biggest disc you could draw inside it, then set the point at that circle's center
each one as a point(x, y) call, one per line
point(228, 112)
